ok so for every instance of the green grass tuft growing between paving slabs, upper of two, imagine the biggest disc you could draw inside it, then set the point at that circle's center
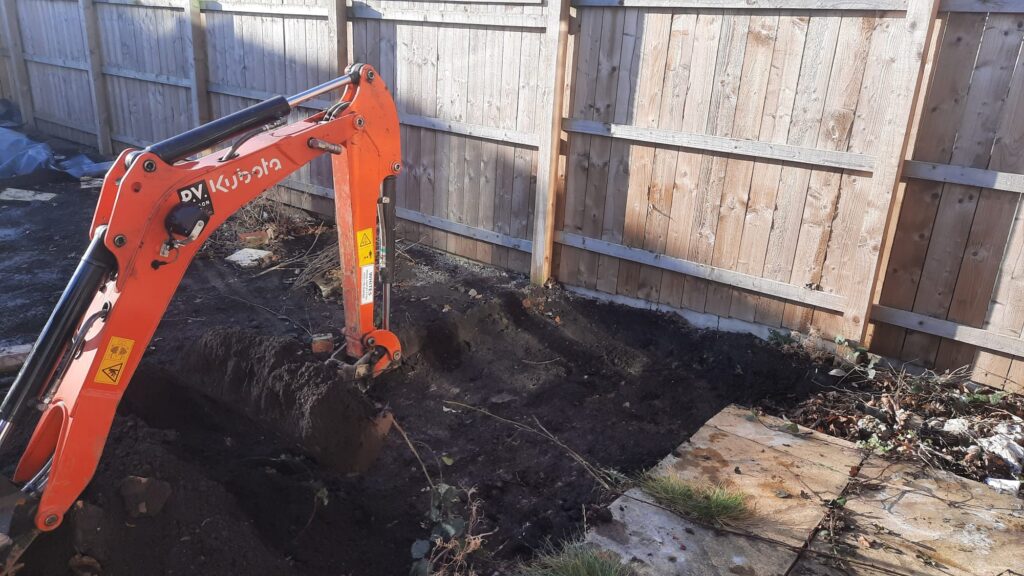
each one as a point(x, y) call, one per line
point(709, 504)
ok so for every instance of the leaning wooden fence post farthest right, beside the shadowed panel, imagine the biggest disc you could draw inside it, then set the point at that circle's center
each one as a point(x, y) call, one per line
point(908, 71)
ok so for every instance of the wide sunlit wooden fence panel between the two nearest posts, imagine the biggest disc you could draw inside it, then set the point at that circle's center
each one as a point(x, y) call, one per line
point(732, 87)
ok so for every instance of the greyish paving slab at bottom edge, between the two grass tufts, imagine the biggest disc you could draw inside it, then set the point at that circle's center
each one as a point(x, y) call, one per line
point(655, 542)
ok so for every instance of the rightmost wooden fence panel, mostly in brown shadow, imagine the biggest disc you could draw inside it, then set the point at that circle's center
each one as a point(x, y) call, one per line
point(957, 249)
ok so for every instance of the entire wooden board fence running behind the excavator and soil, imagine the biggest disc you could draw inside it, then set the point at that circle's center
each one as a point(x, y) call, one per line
point(733, 159)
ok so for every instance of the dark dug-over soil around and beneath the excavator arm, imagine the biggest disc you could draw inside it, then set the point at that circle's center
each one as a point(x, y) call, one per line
point(251, 432)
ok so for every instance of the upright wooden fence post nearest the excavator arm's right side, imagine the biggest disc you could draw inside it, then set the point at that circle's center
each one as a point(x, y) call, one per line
point(554, 47)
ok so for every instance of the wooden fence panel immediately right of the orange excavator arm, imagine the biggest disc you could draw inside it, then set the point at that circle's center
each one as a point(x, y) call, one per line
point(468, 95)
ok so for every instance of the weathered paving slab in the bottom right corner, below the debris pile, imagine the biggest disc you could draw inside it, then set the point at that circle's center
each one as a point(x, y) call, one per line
point(913, 520)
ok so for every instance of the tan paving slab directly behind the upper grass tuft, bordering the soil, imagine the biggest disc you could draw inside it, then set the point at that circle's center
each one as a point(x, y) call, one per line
point(788, 495)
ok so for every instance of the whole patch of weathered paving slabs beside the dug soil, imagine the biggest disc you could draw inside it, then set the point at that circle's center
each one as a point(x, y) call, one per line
point(902, 519)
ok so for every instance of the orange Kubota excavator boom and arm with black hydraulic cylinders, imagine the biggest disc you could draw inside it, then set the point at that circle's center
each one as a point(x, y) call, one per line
point(156, 209)
